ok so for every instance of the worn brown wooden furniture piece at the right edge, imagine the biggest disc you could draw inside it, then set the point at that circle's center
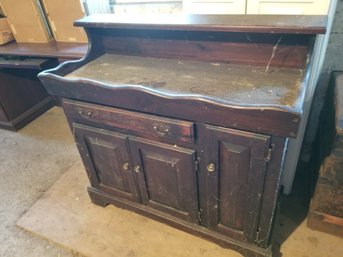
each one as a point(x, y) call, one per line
point(326, 210)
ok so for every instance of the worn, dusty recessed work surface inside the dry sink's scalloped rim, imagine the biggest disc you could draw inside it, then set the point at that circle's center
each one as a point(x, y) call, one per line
point(225, 83)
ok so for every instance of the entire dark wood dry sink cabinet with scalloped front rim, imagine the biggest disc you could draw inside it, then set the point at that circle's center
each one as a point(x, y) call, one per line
point(187, 121)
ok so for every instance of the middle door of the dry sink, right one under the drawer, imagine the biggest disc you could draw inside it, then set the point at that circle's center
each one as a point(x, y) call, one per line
point(166, 177)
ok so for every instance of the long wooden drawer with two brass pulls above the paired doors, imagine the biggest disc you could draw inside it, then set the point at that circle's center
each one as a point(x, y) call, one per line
point(148, 126)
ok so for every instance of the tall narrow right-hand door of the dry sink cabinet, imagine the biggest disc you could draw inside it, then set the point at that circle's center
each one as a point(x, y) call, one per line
point(234, 166)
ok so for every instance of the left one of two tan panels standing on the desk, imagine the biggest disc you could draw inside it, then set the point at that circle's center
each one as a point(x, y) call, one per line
point(26, 20)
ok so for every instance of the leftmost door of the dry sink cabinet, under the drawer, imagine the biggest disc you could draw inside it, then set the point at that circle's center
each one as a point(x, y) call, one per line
point(106, 158)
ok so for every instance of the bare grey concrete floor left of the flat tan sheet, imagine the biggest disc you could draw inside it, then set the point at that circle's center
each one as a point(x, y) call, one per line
point(31, 161)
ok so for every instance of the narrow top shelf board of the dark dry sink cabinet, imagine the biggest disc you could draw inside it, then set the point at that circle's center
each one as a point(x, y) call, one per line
point(298, 24)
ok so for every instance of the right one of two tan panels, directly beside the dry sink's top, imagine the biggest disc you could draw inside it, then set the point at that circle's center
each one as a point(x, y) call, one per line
point(61, 15)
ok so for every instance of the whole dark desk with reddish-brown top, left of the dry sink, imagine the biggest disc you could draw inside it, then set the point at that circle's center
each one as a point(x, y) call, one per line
point(22, 96)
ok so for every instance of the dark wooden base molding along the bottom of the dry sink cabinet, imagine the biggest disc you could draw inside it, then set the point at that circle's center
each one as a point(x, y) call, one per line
point(103, 199)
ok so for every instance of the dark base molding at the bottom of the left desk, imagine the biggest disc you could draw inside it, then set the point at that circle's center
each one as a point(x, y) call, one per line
point(28, 116)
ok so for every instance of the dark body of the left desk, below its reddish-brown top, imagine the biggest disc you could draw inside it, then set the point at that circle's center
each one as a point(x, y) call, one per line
point(22, 95)
